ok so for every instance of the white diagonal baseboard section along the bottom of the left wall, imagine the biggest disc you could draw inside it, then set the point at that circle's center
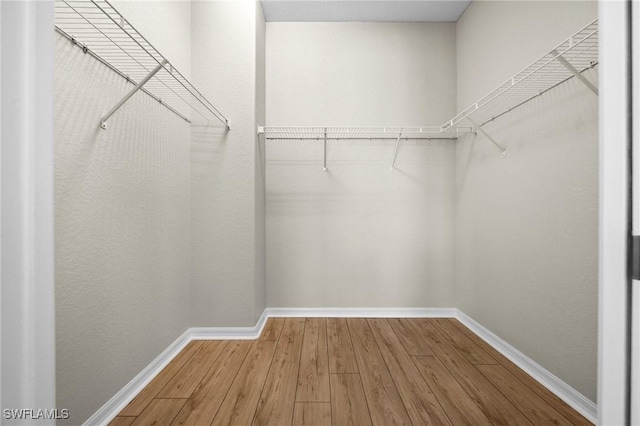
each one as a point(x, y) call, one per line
point(108, 411)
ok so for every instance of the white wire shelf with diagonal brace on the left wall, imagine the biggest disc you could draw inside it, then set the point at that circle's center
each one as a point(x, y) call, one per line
point(100, 30)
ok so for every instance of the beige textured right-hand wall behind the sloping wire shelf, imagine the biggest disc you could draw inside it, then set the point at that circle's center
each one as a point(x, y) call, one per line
point(527, 225)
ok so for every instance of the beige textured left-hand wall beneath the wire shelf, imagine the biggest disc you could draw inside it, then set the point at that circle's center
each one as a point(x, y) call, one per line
point(122, 231)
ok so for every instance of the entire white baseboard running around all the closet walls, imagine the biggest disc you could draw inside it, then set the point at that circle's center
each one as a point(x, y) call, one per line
point(565, 392)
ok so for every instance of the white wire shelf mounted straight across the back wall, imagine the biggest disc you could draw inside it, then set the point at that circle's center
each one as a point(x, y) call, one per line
point(360, 133)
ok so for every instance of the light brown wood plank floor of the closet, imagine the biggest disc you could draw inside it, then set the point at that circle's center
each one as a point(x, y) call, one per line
point(337, 371)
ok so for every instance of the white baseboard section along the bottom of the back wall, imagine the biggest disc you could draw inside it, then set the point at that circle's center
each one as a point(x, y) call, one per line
point(363, 312)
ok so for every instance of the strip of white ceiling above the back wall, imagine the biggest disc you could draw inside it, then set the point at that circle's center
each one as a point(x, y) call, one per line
point(363, 10)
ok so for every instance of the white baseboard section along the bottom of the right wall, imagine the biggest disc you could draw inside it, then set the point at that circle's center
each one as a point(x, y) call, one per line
point(572, 397)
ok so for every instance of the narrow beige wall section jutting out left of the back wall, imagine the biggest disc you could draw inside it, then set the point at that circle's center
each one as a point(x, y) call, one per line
point(226, 279)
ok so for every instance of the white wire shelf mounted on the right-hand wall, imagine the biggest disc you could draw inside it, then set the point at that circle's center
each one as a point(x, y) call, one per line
point(569, 59)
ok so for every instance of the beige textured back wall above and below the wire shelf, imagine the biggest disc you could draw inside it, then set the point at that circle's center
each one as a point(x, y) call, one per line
point(360, 234)
